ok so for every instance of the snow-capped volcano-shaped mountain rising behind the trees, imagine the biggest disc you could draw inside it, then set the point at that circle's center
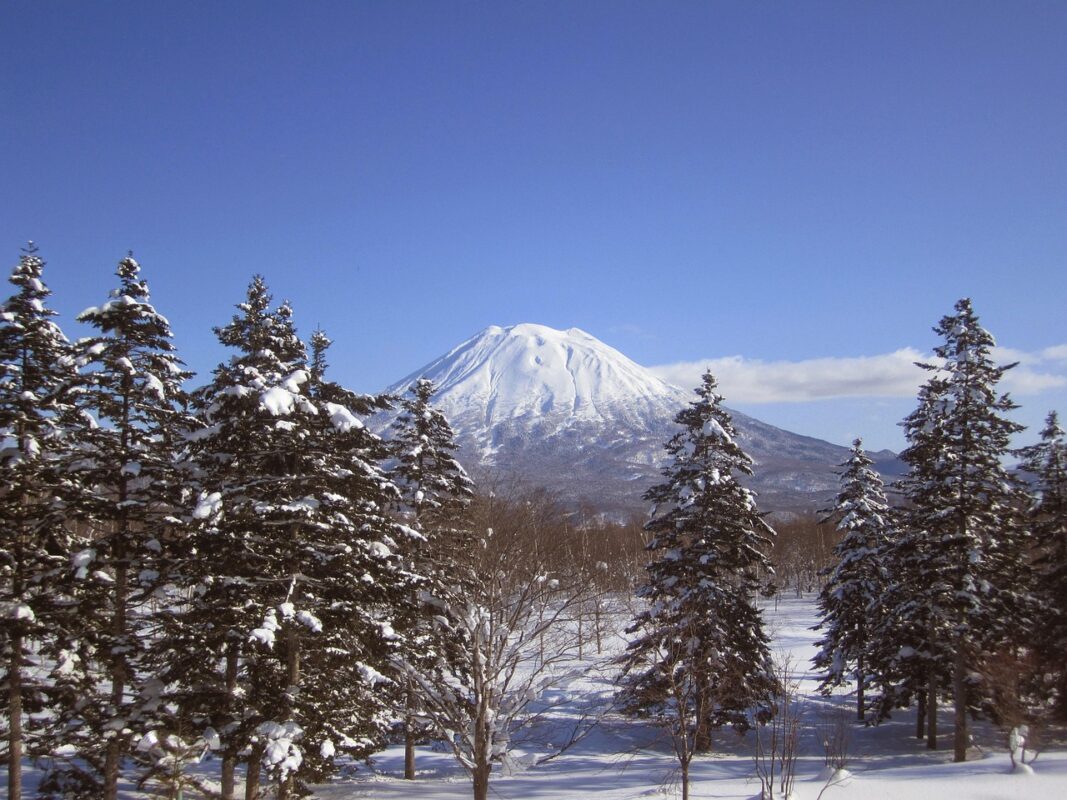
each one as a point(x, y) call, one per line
point(563, 410)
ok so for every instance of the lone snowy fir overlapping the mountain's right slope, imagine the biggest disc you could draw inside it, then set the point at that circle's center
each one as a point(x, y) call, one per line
point(708, 550)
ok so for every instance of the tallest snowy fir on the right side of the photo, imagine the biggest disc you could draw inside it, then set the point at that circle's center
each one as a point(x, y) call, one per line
point(965, 548)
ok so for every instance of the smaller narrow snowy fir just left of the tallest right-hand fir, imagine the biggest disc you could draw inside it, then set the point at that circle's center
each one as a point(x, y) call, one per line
point(856, 583)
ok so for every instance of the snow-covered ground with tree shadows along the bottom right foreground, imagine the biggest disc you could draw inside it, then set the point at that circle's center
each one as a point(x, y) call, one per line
point(625, 759)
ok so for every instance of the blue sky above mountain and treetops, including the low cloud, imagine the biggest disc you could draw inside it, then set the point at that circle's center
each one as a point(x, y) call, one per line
point(797, 193)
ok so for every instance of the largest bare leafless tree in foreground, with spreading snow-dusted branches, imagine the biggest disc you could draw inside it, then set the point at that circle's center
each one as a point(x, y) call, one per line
point(518, 623)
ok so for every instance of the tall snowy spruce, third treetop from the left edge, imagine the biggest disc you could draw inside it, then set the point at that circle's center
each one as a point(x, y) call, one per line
point(202, 650)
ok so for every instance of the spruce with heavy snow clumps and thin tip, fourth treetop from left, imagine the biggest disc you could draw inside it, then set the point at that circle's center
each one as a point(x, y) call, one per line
point(368, 583)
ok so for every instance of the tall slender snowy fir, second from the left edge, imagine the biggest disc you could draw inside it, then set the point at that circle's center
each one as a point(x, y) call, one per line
point(132, 489)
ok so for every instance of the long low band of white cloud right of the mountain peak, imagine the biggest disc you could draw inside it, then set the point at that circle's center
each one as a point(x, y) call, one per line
point(890, 375)
